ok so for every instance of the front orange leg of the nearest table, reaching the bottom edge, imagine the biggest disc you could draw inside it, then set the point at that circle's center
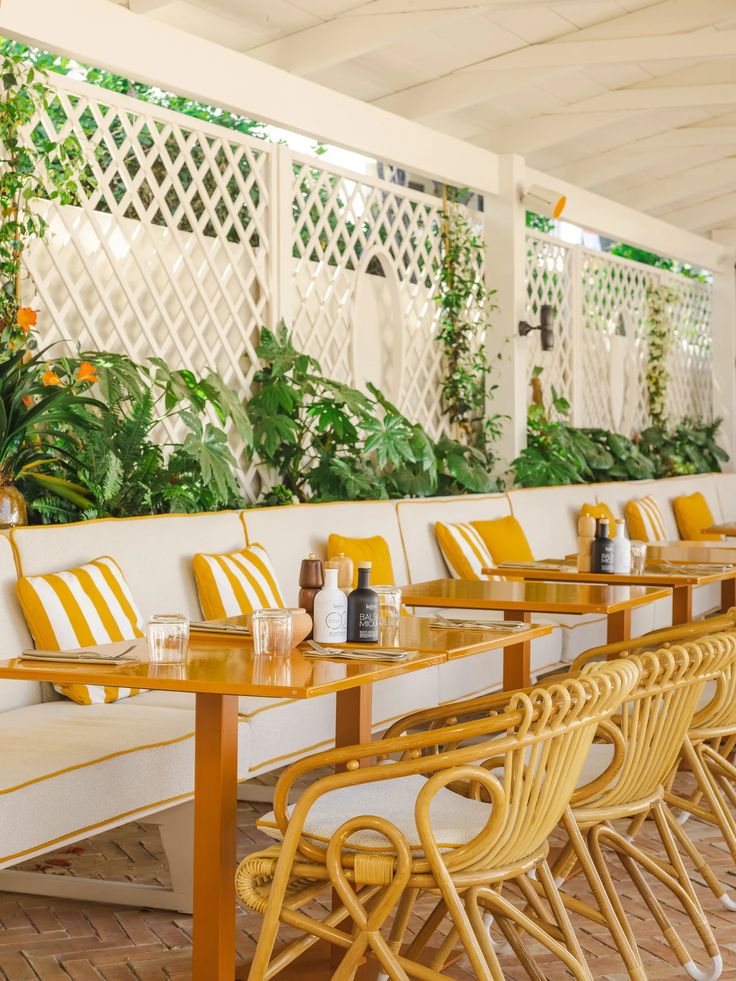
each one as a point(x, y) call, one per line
point(215, 823)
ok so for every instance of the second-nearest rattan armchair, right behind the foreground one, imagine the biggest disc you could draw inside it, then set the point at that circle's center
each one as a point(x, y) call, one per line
point(654, 725)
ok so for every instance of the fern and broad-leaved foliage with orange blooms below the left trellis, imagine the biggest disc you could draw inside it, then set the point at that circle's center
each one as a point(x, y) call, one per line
point(127, 463)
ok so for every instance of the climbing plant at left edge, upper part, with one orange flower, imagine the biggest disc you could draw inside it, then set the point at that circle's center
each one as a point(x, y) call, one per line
point(33, 168)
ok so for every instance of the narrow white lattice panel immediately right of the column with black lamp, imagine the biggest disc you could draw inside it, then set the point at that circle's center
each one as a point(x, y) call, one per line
point(549, 279)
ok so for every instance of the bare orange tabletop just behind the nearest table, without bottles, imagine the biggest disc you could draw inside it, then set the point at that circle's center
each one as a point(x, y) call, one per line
point(529, 597)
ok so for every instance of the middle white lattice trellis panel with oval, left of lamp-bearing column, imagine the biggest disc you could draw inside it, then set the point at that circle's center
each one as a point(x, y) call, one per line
point(348, 230)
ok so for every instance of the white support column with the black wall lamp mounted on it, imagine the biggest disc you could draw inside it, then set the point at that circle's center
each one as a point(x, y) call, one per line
point(505, 231)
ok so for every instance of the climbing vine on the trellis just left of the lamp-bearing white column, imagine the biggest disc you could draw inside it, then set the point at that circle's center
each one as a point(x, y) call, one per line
point(466, 306)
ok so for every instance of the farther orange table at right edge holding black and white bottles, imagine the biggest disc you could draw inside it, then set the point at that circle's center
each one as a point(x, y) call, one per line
point(681, 583)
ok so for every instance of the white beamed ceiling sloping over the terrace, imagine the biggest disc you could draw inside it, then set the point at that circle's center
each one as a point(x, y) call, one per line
point(633, 99)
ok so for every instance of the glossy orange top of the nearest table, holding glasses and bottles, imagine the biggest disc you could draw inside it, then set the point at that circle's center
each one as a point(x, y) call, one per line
point(230, 667)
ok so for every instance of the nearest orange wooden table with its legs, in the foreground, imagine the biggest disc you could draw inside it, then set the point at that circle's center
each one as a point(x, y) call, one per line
point(218, 672)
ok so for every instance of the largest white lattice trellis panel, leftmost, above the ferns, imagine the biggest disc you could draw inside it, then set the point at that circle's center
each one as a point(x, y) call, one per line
point(168, 251)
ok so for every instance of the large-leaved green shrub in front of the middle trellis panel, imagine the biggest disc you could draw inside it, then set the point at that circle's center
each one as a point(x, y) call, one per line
point(327, 441)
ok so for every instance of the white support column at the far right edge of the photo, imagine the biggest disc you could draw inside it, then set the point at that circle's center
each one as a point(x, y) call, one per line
point(723, 321)
